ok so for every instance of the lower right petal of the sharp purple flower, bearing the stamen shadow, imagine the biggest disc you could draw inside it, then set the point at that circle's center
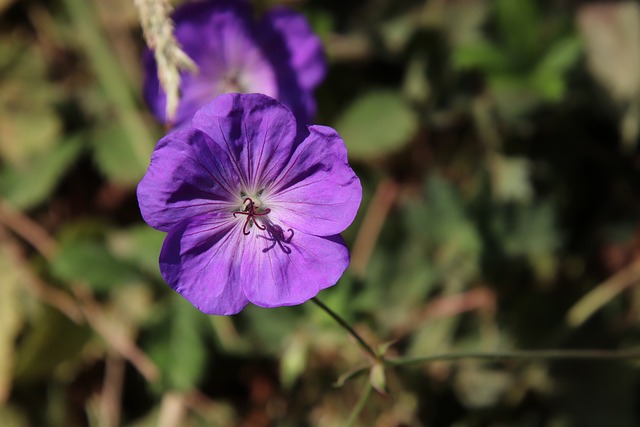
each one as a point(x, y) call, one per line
point(290, 268)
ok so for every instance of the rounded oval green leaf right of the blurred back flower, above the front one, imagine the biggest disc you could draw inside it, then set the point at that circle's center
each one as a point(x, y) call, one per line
point(377, 123)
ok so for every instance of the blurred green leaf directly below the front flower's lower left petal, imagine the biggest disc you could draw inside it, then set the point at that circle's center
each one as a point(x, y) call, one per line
point(177, 345)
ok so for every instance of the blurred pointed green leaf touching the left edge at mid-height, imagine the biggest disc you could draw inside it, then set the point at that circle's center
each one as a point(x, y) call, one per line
point(31, 184)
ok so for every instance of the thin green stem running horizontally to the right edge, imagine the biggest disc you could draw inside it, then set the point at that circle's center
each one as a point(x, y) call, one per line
point(520, 355)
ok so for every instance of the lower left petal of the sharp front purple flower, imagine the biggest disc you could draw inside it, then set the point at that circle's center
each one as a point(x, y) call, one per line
point(199, 260)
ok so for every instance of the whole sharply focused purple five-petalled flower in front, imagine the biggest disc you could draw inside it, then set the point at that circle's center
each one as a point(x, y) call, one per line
point(253, 209)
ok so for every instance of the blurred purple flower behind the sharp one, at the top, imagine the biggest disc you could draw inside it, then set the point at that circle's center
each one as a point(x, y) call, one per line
point(279, 56)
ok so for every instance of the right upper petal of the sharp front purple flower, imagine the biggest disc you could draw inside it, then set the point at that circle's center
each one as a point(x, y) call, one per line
point(317, 193)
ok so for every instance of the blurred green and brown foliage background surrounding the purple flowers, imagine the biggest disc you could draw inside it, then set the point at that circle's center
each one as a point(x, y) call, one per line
point(497, 144)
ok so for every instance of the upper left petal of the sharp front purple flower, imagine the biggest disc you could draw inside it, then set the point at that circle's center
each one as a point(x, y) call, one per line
point(188, 175)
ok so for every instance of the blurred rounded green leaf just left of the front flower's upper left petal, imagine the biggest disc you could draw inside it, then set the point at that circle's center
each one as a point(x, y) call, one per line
point(115, 156)
